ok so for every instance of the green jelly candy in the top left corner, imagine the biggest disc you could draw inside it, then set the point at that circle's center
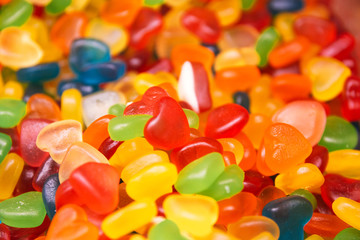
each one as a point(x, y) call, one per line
point(15, 13)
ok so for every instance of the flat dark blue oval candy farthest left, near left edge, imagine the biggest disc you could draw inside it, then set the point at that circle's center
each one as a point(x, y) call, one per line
point(39, 73)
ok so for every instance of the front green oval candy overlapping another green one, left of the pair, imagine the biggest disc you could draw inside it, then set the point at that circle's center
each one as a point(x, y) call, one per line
point(198, 175)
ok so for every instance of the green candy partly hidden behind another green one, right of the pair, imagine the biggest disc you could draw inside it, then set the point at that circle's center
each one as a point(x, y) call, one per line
point(228, 184)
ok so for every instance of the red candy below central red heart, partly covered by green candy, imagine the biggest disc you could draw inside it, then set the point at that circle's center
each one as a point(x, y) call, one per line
point(195, 149)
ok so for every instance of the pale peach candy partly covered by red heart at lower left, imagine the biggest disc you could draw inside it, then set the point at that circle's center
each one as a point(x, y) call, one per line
point(78, 154)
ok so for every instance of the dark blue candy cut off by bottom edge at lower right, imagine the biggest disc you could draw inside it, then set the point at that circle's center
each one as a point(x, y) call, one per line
point(291, 214)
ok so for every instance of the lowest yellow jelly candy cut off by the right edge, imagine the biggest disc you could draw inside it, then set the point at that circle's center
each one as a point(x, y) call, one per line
point(347, 210)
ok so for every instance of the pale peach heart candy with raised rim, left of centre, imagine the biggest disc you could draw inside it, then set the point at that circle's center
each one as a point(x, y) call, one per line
point(57, 137)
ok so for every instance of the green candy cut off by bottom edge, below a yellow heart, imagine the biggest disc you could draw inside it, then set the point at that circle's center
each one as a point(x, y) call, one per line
point(164, 230)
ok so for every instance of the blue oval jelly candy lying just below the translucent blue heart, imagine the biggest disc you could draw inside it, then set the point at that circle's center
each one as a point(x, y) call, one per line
point(102, 72)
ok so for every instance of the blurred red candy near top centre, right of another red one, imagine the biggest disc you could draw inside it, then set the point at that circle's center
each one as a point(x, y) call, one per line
point(203, 23)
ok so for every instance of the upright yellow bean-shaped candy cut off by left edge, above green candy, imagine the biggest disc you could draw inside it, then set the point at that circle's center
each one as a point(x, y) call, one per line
point(10, 171)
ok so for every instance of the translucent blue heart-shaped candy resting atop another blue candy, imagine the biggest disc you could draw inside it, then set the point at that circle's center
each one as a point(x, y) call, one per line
point(87, 51)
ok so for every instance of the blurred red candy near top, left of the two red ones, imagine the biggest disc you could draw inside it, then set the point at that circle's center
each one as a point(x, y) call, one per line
point(146, 25)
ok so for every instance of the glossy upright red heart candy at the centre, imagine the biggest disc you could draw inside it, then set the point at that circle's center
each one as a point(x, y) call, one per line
point(169, 127)
